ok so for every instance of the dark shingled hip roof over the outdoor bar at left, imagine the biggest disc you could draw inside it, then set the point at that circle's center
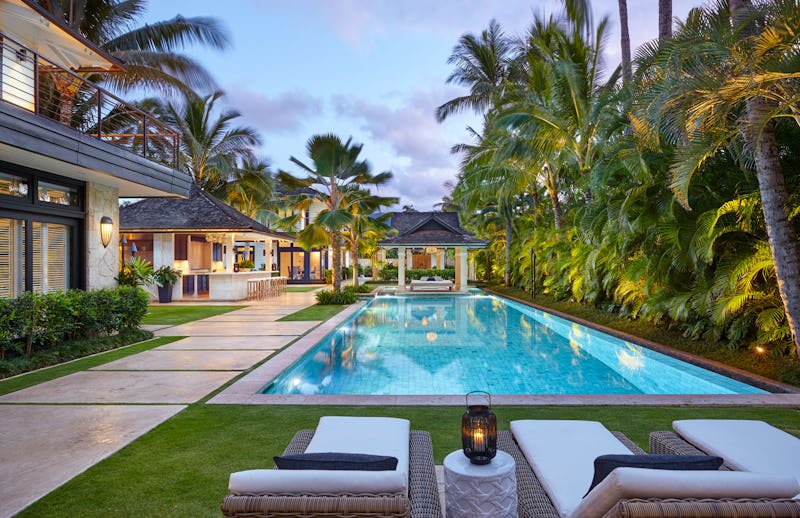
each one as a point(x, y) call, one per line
point(200, 212)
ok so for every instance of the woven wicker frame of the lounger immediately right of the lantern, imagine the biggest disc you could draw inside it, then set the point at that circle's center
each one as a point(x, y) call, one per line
point(533, 501)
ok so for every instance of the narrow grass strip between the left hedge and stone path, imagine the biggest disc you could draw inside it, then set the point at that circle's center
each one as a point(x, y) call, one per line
point(57, 371)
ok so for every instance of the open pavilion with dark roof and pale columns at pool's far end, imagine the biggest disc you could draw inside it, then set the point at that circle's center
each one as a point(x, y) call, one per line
point(434, 232)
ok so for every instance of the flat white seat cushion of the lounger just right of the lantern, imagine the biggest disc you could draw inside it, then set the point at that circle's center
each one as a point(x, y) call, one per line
point(562, 455)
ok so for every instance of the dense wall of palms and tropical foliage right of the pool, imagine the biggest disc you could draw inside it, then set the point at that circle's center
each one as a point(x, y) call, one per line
point(672, 198)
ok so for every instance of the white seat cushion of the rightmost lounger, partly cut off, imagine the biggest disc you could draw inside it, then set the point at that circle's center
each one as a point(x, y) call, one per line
point(744, 444)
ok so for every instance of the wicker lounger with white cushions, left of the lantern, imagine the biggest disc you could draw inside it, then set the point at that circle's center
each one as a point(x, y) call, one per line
point(409, 490)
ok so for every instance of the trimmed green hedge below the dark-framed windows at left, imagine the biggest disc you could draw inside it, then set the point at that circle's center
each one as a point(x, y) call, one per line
point(41, 321)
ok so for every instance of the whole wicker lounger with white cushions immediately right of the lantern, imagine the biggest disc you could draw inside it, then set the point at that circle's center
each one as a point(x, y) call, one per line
point(552, 475)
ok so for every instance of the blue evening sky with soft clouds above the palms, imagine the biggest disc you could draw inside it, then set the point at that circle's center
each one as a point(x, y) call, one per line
point(370, 70)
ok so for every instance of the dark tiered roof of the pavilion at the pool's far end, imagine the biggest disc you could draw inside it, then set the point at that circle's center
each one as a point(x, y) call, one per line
point(441, 229)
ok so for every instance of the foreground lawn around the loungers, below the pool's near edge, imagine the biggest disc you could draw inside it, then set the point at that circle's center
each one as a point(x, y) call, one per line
point(181, 468)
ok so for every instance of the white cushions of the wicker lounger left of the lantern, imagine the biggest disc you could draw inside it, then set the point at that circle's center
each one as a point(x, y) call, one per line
point(370, 435)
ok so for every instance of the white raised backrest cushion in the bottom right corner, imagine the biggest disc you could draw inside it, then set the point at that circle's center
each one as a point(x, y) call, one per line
point(626, 483)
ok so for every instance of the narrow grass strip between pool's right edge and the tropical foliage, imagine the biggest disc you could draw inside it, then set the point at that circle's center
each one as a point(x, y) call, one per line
point(780, 368)
